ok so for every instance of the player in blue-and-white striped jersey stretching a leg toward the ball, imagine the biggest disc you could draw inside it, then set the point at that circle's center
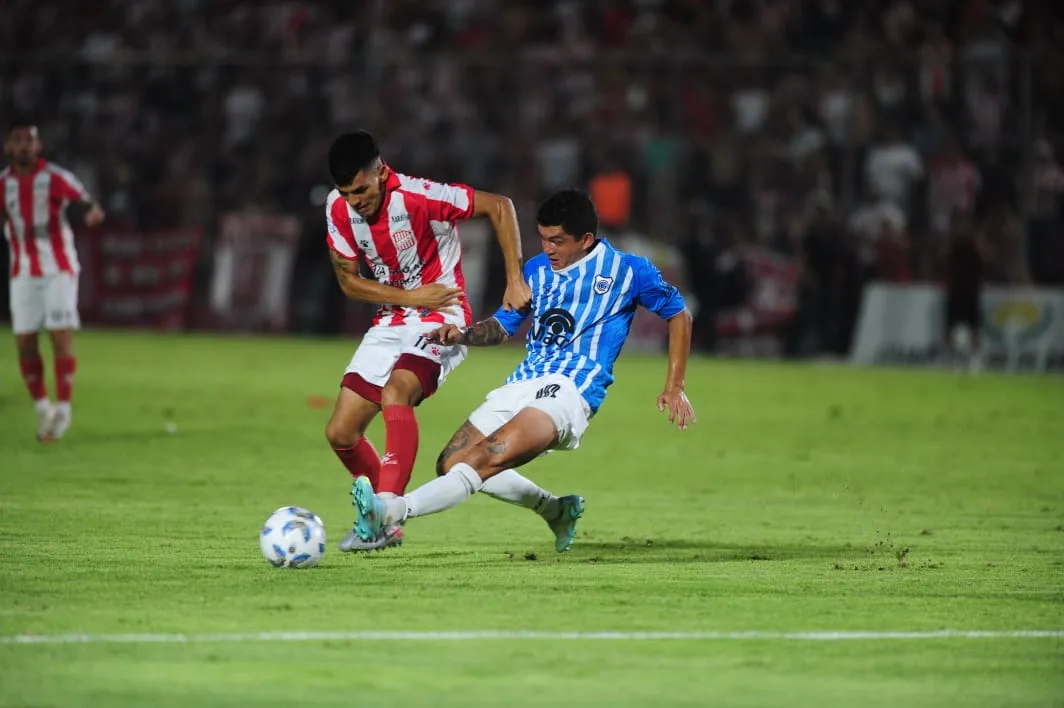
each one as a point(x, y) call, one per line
point(585, 295)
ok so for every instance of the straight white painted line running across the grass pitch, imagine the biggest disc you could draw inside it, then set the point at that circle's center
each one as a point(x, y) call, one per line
point(520, 635)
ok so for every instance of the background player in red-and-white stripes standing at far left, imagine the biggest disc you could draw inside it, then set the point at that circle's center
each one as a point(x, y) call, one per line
point(35, 196)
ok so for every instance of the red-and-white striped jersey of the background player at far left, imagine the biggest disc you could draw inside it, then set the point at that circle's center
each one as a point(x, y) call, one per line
point(34, 212)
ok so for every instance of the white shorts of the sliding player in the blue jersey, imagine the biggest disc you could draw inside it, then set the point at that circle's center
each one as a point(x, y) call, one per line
point(554, 394)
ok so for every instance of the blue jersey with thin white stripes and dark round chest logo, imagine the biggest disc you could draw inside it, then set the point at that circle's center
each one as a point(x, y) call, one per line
point(581, 316)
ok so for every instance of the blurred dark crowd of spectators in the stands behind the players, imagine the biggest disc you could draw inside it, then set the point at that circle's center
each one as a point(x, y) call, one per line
point(864, 140)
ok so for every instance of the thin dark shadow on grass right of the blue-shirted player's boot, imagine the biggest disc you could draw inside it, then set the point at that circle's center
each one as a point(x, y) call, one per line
point(671, 551)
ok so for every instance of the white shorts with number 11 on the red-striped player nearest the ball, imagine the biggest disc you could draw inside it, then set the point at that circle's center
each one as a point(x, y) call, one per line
point(383, 347)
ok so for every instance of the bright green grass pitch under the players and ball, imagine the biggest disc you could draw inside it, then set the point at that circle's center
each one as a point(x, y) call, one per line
point(807, 499)
